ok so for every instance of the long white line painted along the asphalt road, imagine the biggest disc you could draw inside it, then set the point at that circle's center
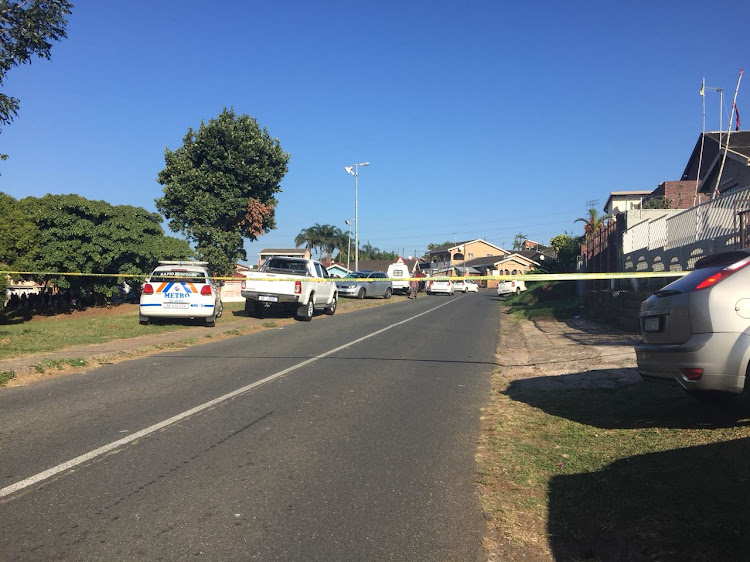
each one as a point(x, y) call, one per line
point(8, 490)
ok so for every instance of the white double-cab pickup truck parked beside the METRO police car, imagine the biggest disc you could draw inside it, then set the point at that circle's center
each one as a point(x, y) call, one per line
point(298, 284)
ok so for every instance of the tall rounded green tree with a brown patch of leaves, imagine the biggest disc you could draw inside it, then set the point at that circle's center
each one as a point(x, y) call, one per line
point(219, 187)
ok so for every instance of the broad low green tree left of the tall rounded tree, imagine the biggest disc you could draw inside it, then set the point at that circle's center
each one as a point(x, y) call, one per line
point(96, 239)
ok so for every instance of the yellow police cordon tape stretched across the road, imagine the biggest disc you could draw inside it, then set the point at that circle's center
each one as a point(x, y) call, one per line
point(519, 277)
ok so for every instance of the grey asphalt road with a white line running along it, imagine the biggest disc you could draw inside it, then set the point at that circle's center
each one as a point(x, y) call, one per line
point(348, 438)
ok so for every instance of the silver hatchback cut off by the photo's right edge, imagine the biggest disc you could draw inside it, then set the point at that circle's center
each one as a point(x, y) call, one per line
point(696, 330)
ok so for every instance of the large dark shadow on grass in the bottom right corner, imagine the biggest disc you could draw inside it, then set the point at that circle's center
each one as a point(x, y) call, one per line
point(684, 504)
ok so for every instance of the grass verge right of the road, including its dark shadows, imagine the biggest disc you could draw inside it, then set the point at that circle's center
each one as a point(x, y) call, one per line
point(643, 470)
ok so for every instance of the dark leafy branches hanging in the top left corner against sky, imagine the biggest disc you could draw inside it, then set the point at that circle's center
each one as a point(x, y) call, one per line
point(27, 28)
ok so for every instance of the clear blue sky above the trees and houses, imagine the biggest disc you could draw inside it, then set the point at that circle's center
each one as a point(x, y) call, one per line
point(480, 119)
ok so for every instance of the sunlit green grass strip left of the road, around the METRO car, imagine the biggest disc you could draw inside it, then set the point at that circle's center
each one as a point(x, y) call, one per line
point(41, 334)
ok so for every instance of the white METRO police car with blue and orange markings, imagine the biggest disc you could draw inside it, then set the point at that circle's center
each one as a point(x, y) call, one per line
point(180, 289)
